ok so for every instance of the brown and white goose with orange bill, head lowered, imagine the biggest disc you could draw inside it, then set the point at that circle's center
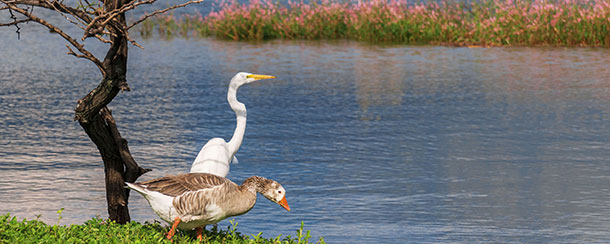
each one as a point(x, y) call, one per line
point(194, 200)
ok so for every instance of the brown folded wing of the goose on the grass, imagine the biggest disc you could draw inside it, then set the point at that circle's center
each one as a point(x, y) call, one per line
point(175, 185)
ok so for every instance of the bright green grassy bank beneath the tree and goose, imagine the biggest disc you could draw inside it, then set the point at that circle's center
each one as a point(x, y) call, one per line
point(101, 231)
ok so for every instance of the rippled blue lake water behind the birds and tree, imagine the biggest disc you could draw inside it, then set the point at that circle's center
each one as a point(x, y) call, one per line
point(374, 144)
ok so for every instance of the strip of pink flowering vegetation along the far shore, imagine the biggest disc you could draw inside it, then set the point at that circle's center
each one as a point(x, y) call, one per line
point(487, 22)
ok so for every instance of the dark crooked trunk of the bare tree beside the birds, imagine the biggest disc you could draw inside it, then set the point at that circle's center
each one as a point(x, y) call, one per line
point(100, 126)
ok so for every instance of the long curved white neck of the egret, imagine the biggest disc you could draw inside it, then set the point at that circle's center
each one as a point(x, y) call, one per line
point(240, 113)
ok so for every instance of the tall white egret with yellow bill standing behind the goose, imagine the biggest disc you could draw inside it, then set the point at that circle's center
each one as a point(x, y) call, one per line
point(216, 154)
